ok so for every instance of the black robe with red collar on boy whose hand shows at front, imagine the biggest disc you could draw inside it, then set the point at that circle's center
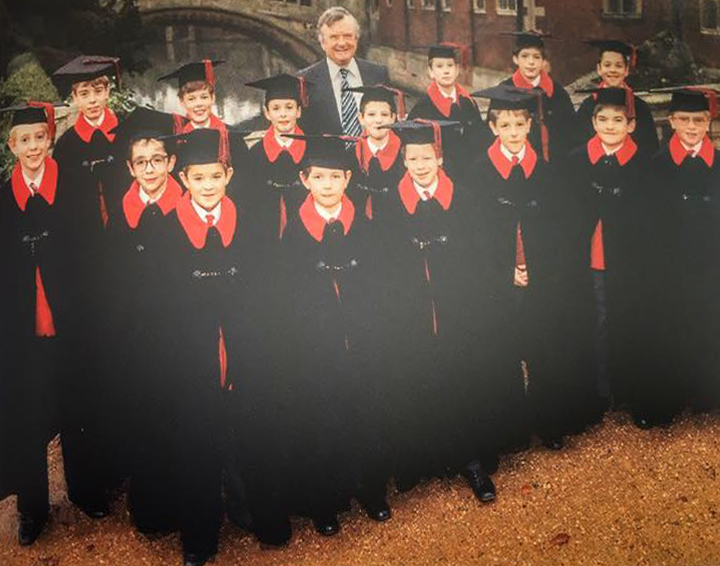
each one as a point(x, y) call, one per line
point(550, 323)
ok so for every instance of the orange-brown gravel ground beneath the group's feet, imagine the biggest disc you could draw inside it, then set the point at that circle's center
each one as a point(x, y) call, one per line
point(615, 496)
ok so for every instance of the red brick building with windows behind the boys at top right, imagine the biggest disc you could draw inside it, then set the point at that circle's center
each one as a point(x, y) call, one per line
point(403, 24)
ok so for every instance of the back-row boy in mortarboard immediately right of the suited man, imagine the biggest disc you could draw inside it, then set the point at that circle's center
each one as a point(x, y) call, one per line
point(447, 100)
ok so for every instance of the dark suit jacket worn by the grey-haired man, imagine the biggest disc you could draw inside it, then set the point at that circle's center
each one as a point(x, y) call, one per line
point(322, 115)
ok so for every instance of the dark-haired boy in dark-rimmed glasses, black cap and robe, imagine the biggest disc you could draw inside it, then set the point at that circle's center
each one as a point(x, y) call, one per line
point(141, 382)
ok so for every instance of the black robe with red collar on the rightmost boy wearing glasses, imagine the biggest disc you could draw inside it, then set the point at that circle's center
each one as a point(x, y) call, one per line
point(689, 196)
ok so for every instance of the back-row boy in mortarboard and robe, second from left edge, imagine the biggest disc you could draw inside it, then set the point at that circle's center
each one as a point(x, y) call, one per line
point(83, 154)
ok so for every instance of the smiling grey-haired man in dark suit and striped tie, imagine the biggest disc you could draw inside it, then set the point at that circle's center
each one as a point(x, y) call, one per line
point(338, 33)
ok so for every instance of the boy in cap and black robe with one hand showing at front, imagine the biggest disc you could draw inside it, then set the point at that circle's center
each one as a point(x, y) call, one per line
point(526, 225)
